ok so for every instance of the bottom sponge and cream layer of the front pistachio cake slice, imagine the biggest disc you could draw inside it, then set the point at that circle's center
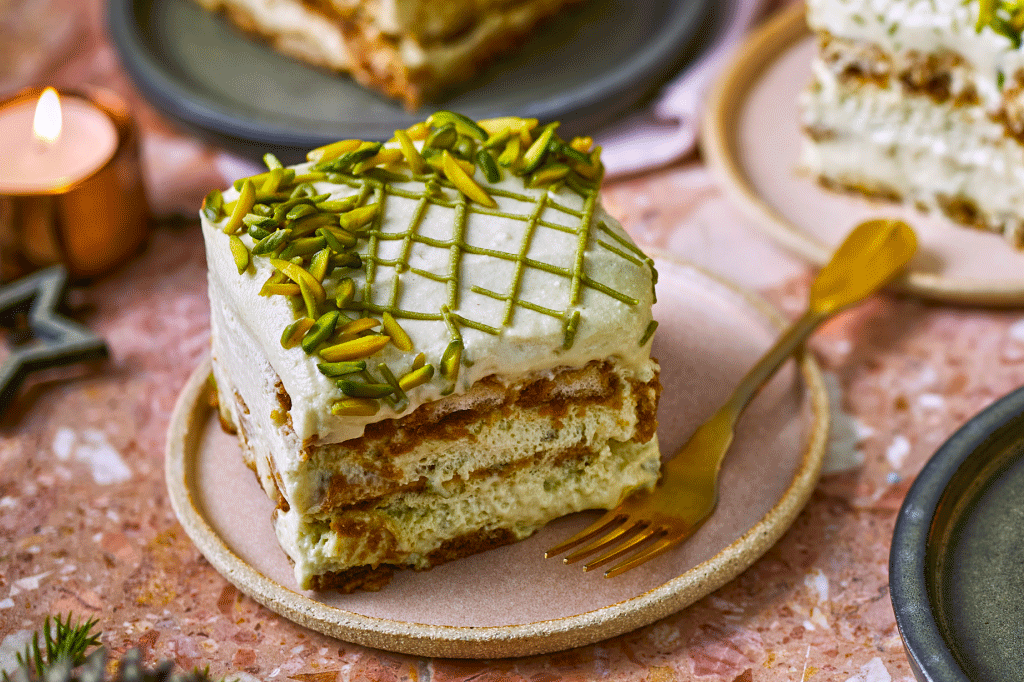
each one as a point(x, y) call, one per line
point(418, 529)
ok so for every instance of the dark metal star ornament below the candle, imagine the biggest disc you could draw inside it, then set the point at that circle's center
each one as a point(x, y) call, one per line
point(60, 340)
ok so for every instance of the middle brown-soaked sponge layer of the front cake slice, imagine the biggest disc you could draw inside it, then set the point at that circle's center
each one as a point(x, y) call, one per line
point(489, 429)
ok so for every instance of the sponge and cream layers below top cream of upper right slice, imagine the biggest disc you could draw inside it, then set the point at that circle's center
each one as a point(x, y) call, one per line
point(942, 156)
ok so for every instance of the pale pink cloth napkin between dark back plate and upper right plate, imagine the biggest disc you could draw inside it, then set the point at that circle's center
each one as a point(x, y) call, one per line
point(668, 131)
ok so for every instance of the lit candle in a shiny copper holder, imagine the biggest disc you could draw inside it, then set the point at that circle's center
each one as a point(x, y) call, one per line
point(70, 187)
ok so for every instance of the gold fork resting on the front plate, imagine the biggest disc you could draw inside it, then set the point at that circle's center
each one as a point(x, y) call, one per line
point(650, 523)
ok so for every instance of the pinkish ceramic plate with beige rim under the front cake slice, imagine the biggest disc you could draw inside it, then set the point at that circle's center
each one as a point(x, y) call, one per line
point(511, 602)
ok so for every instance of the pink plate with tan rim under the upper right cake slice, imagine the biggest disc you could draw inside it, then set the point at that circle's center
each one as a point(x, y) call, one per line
point(751, 139)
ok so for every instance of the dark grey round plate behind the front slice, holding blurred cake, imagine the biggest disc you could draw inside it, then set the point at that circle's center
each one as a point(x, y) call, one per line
point(586, 68)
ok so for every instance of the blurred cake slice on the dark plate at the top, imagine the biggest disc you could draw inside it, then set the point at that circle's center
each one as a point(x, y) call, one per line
point(407, 50)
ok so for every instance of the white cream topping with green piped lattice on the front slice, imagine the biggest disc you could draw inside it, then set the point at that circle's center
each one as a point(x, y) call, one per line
point(615, 295)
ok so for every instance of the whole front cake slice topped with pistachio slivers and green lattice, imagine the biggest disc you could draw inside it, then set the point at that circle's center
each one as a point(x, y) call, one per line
point(432, 347)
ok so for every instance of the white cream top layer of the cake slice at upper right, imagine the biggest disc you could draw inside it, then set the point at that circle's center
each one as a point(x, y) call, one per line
point(929, 27)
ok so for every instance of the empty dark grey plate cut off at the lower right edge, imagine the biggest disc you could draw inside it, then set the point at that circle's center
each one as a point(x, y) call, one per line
point(957, 575)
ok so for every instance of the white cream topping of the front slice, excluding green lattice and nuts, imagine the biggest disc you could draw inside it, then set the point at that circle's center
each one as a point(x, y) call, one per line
point(532, 343)
